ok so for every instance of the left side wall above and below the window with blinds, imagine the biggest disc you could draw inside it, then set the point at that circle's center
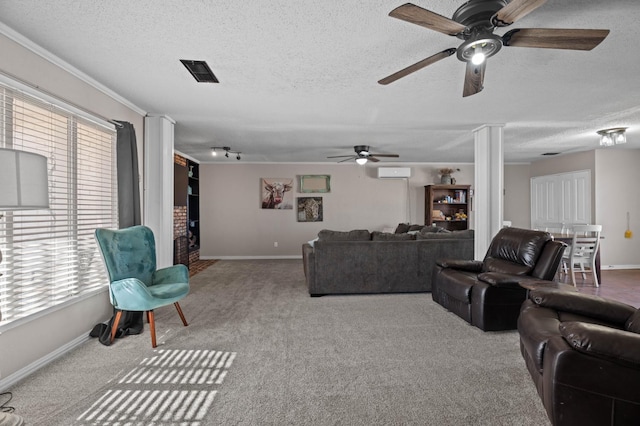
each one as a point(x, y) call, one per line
point(35, 340)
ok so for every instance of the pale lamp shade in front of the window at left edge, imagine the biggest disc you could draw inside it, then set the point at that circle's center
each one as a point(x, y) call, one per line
point(23, 180)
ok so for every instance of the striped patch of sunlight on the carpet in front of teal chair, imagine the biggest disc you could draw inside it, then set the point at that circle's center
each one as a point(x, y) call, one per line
point(171, 387)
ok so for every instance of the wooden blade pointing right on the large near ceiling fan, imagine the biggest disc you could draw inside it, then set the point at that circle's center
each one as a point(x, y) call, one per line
point(554, 38)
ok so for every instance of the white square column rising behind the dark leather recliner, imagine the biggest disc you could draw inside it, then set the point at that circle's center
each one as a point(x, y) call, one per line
point(488, 195)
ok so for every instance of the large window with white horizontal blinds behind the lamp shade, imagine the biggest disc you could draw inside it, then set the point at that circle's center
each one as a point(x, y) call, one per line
point(50, 256)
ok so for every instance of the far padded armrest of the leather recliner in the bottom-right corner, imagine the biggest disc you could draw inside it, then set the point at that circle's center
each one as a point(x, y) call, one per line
point(584, 304)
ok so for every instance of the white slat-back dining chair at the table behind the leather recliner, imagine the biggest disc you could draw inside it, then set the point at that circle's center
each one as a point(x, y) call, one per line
point(584, 246)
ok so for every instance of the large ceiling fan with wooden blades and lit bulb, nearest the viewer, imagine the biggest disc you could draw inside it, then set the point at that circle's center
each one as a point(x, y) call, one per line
point(475, 21)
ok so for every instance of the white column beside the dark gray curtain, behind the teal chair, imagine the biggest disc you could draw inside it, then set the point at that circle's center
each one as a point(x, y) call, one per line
point(158, 184)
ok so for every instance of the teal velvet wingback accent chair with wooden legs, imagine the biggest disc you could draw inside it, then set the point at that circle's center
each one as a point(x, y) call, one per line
point(135, 284)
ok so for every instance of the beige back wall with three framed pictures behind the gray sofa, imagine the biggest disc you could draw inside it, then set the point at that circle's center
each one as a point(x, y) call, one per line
point(233, 224)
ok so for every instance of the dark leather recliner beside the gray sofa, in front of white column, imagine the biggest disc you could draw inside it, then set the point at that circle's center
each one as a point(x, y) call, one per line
point(487, 293)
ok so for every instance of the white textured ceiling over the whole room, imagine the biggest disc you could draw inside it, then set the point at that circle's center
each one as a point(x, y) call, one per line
point(298, 80)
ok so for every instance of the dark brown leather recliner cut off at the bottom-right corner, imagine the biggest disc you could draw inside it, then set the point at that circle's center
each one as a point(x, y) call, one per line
point(583, 354)
